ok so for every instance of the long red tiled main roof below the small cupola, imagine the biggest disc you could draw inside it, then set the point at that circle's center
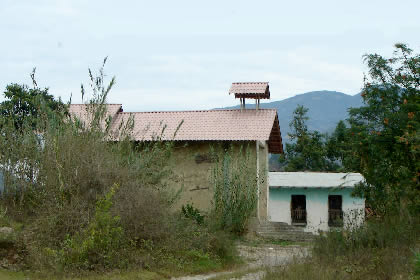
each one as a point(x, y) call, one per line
point(209, 125)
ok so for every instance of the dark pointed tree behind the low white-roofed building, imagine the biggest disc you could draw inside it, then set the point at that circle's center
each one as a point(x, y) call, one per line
point(308, 153)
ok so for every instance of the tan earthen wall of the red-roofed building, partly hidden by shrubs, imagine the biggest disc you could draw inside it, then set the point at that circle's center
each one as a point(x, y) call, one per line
point(194, 178)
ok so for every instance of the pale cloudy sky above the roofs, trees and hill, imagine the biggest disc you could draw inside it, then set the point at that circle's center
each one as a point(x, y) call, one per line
point(184, 55)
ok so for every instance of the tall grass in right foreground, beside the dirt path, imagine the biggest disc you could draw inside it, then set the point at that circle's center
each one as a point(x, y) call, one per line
point(380, 249)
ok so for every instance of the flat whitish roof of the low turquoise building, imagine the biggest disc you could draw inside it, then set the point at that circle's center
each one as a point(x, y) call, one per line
point(313, 180)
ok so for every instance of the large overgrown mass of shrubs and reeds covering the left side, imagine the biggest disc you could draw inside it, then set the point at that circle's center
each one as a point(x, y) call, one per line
point(87, 205)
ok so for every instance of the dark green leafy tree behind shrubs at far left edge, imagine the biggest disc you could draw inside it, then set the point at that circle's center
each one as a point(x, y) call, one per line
point(24, 105)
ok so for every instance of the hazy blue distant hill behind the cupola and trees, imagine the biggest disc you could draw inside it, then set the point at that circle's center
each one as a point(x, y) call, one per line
point(326, 108)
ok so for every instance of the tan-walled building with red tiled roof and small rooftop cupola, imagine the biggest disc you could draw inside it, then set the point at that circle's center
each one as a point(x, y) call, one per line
point(196, 132)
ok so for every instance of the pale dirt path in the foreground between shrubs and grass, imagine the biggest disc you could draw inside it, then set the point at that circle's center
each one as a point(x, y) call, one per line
point(257, 258)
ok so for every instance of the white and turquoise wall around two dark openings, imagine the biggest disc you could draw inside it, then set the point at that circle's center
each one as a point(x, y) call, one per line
point(316, 206)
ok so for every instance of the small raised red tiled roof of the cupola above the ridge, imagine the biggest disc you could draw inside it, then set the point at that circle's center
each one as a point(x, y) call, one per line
point(258, 90)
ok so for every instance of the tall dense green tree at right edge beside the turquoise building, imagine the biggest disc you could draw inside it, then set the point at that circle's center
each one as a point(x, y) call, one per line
point(385, 131)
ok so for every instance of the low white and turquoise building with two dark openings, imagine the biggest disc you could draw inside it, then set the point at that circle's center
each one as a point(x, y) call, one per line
point(315, 201)
